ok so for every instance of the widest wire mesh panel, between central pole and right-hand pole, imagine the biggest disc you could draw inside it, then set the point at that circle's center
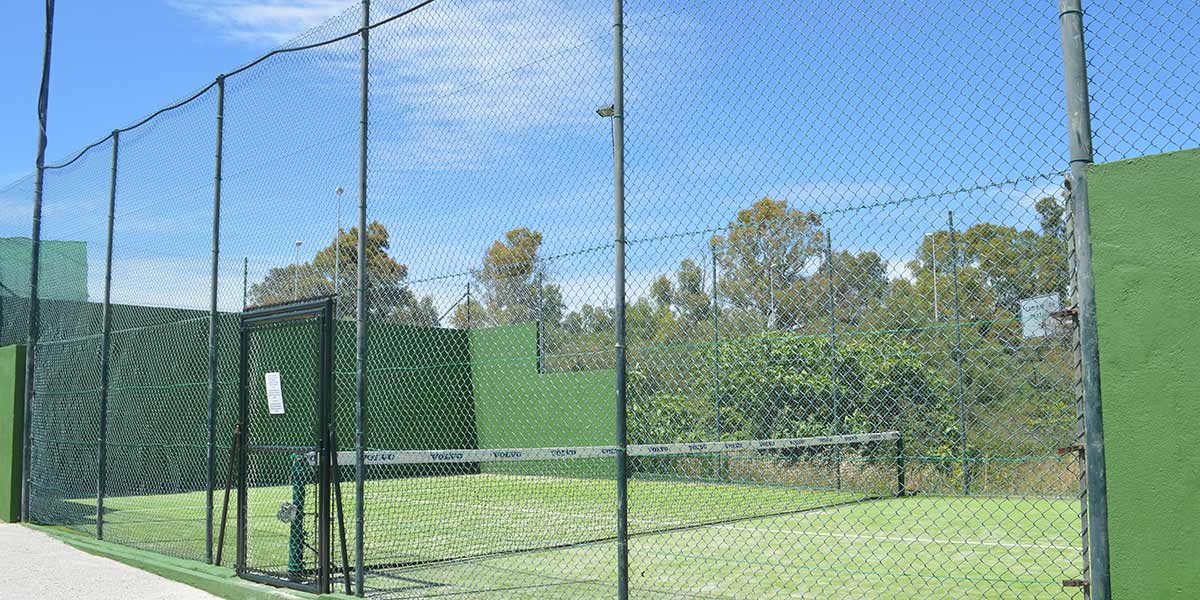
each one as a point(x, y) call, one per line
point(829, 238)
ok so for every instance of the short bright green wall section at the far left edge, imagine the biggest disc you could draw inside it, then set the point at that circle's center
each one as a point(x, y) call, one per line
point(13, 422)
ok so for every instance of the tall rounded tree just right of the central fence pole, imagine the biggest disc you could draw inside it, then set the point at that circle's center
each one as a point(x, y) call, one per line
point(765, 260)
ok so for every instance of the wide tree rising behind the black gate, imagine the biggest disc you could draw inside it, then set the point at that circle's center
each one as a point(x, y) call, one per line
point(334, 269)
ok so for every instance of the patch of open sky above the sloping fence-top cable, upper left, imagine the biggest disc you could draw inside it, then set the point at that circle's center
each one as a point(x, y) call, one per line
point(118, 62)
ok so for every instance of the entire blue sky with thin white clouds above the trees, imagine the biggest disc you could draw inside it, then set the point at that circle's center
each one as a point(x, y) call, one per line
point(483, 121)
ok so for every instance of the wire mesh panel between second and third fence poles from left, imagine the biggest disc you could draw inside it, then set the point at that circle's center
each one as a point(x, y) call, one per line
point(157, 401)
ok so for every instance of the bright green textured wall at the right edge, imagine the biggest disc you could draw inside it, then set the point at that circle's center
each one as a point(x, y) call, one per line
point(1147, 245)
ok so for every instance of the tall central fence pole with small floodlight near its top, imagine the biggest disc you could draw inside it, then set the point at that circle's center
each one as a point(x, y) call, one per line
point(619, 176)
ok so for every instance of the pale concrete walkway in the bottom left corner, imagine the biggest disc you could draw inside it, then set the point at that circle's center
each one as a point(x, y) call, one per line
point(34, 566)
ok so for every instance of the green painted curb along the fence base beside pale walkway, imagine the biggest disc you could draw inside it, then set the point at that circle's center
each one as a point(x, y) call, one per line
point(219, 581)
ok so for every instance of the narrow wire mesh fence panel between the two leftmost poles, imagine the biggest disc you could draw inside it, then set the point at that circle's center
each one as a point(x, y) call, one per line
point(65, 430)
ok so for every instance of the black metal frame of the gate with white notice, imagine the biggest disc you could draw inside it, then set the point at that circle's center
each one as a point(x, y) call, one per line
point(323, 310)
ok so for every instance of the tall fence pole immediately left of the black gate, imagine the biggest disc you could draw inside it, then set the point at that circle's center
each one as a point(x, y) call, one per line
point(213, 325)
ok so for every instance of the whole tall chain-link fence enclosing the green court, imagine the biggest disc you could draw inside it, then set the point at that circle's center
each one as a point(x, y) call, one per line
point(847, 365)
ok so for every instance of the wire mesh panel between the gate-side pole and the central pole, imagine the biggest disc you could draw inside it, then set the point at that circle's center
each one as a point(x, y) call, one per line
point(490, 196)
